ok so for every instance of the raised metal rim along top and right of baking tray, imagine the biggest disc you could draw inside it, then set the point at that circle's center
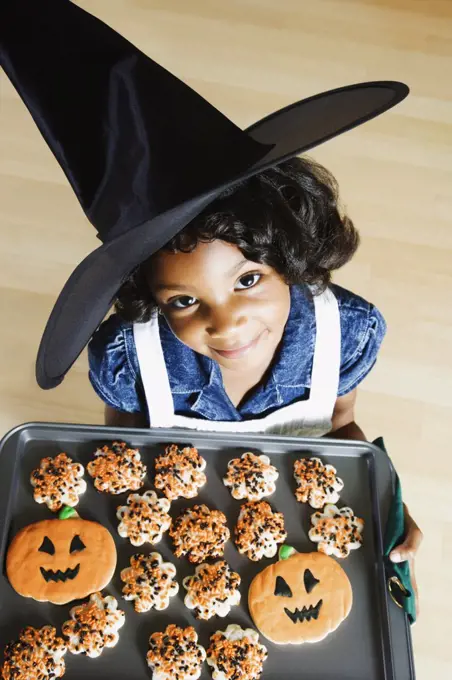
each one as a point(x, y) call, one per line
point(367, 447)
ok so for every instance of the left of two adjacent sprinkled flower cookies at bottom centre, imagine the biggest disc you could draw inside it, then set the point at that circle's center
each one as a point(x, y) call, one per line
point(175, 654)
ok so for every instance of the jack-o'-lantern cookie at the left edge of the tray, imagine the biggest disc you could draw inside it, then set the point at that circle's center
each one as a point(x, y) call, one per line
point(60, 560)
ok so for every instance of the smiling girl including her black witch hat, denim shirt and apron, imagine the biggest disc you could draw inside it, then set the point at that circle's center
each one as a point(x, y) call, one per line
point(249, 335)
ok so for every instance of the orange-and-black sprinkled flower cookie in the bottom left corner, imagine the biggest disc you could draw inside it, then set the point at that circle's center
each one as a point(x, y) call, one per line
point(36, 655)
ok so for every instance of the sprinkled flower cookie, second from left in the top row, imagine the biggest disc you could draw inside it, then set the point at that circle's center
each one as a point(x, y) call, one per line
point(117, 469)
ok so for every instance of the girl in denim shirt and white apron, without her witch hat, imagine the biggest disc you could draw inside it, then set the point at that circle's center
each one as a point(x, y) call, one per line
point(234, 326)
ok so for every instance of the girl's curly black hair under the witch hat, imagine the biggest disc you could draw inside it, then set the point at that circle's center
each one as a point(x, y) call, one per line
point(286, 217)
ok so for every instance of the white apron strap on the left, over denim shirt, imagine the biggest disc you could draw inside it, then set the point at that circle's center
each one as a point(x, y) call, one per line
point(154, 376)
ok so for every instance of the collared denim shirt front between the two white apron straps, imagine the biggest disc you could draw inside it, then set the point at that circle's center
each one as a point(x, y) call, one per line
point(289, 375)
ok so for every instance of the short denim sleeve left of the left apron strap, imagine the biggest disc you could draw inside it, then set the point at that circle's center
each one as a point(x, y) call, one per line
point(113, 365)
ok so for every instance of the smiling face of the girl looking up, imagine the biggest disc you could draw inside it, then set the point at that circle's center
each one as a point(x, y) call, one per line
point(220, 304)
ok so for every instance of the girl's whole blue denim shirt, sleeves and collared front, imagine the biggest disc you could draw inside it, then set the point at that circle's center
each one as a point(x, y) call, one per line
point(196, 382)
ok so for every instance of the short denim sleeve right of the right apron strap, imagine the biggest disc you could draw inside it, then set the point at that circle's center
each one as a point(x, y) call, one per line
point(362, 331)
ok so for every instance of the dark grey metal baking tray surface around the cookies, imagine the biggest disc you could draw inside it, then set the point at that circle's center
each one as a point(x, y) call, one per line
point(373, 643)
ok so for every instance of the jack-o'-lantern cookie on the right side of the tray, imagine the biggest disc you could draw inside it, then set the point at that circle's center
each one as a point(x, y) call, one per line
point(301, 598)
